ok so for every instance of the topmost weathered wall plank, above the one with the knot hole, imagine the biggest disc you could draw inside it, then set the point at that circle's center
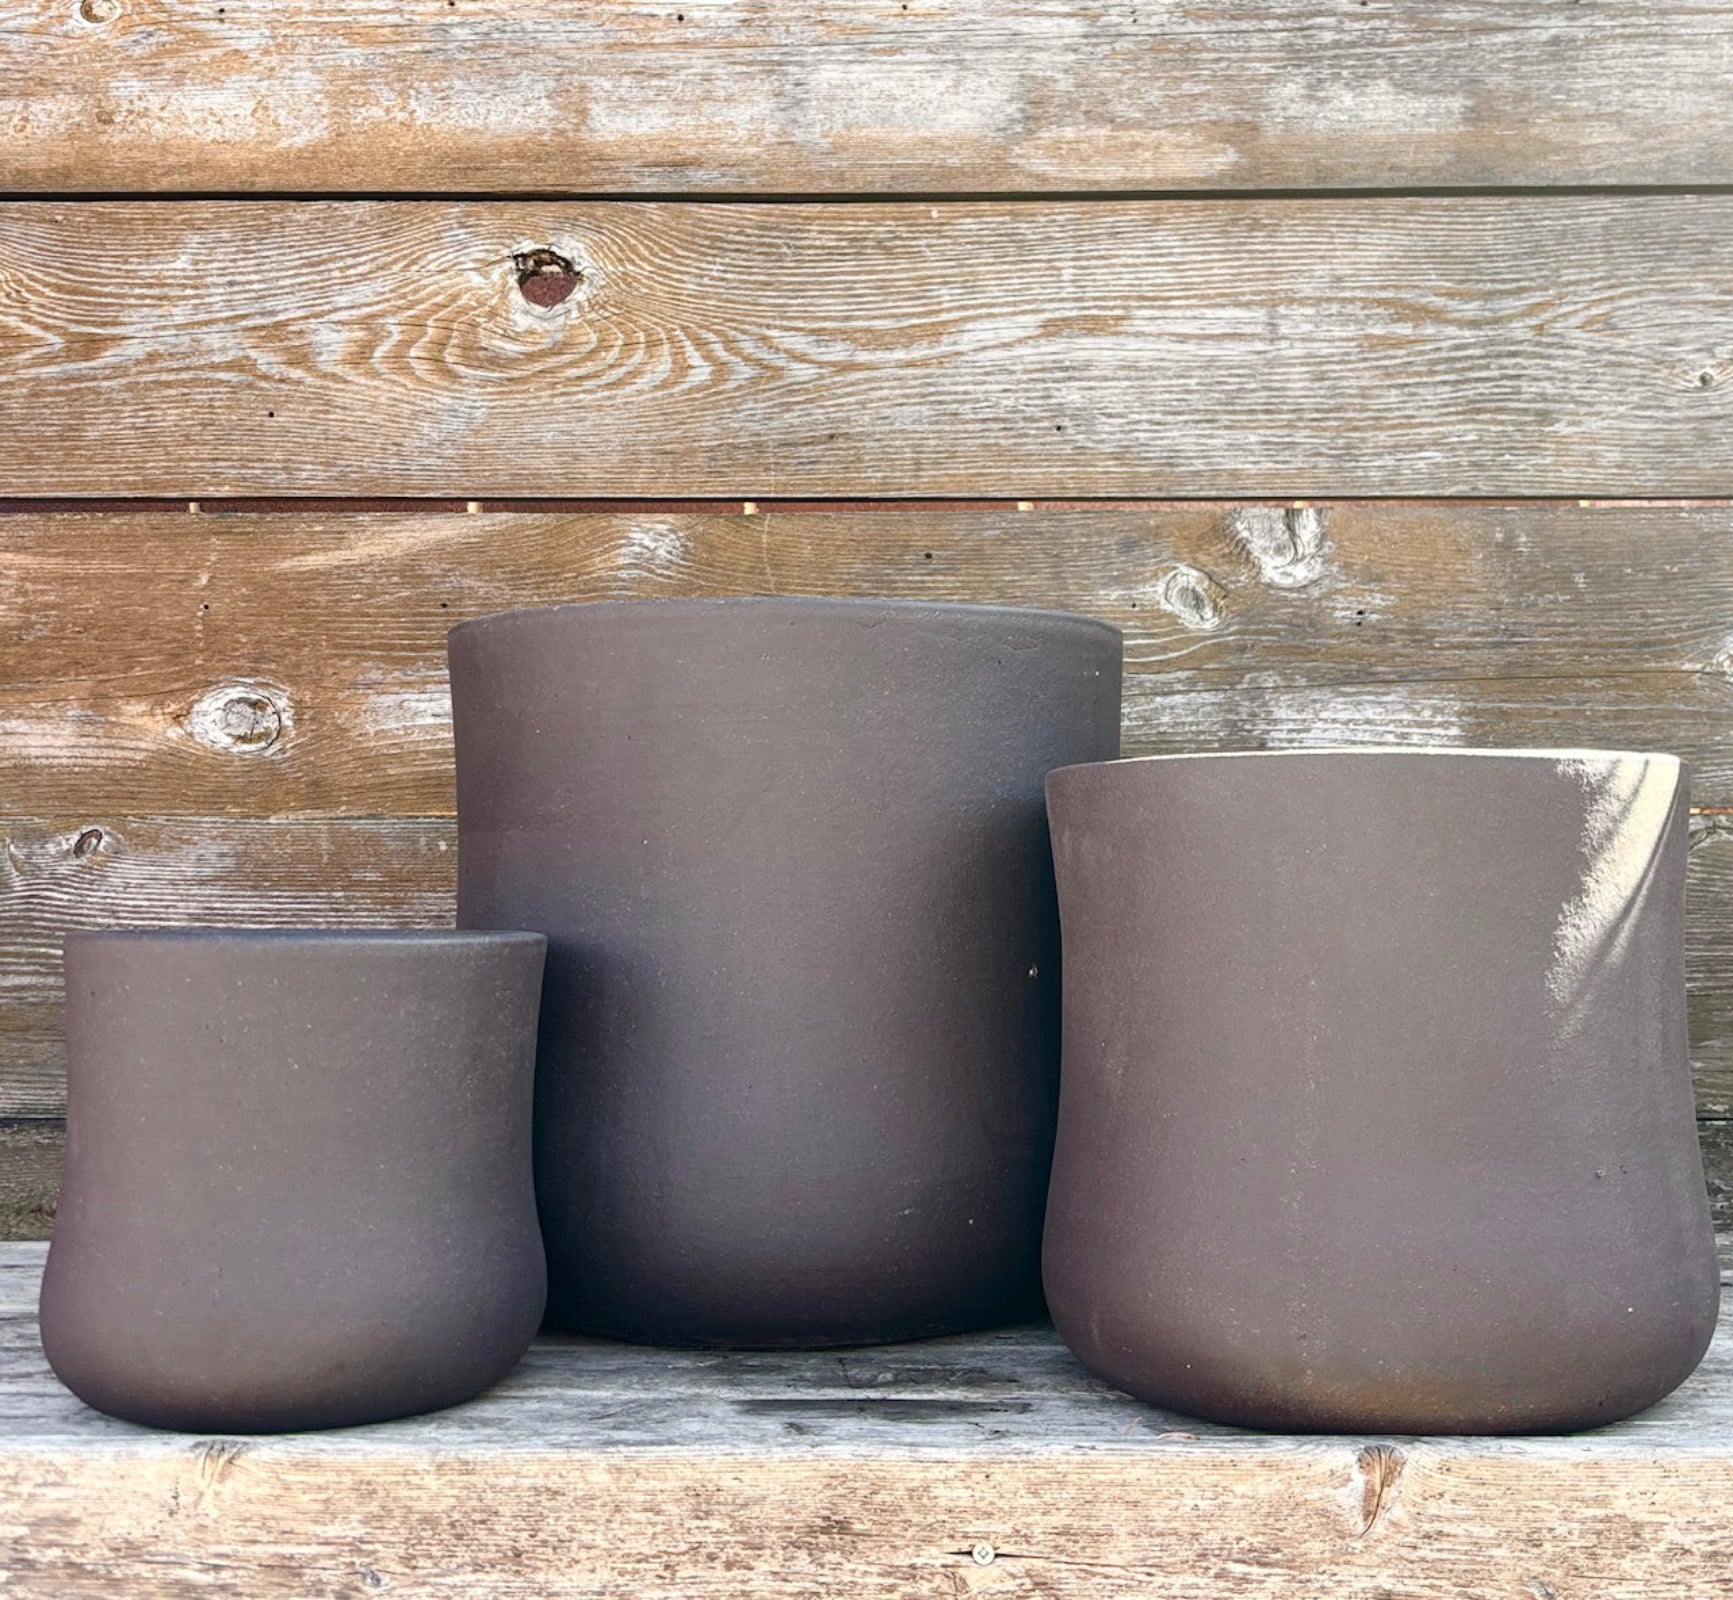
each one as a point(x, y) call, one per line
point(791, 98)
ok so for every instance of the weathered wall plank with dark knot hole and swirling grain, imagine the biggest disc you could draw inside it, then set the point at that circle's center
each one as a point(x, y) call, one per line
point(1481, 346)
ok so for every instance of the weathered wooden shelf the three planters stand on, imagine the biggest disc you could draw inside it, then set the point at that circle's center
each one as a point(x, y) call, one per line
point(987, 1464)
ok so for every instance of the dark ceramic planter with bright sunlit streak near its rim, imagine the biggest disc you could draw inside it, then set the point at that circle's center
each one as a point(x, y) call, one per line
point(1377, 1114)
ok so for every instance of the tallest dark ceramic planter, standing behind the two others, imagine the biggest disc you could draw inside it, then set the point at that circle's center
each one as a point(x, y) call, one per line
point(800, 1036)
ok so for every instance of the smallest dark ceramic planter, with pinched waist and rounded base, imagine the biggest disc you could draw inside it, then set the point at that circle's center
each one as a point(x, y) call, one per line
point(297, 1181)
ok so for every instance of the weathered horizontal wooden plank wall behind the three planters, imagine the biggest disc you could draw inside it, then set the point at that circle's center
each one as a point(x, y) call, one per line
point(1370, 365)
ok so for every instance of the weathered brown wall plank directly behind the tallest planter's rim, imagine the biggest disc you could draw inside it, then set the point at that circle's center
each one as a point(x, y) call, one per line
point(259, 665)
